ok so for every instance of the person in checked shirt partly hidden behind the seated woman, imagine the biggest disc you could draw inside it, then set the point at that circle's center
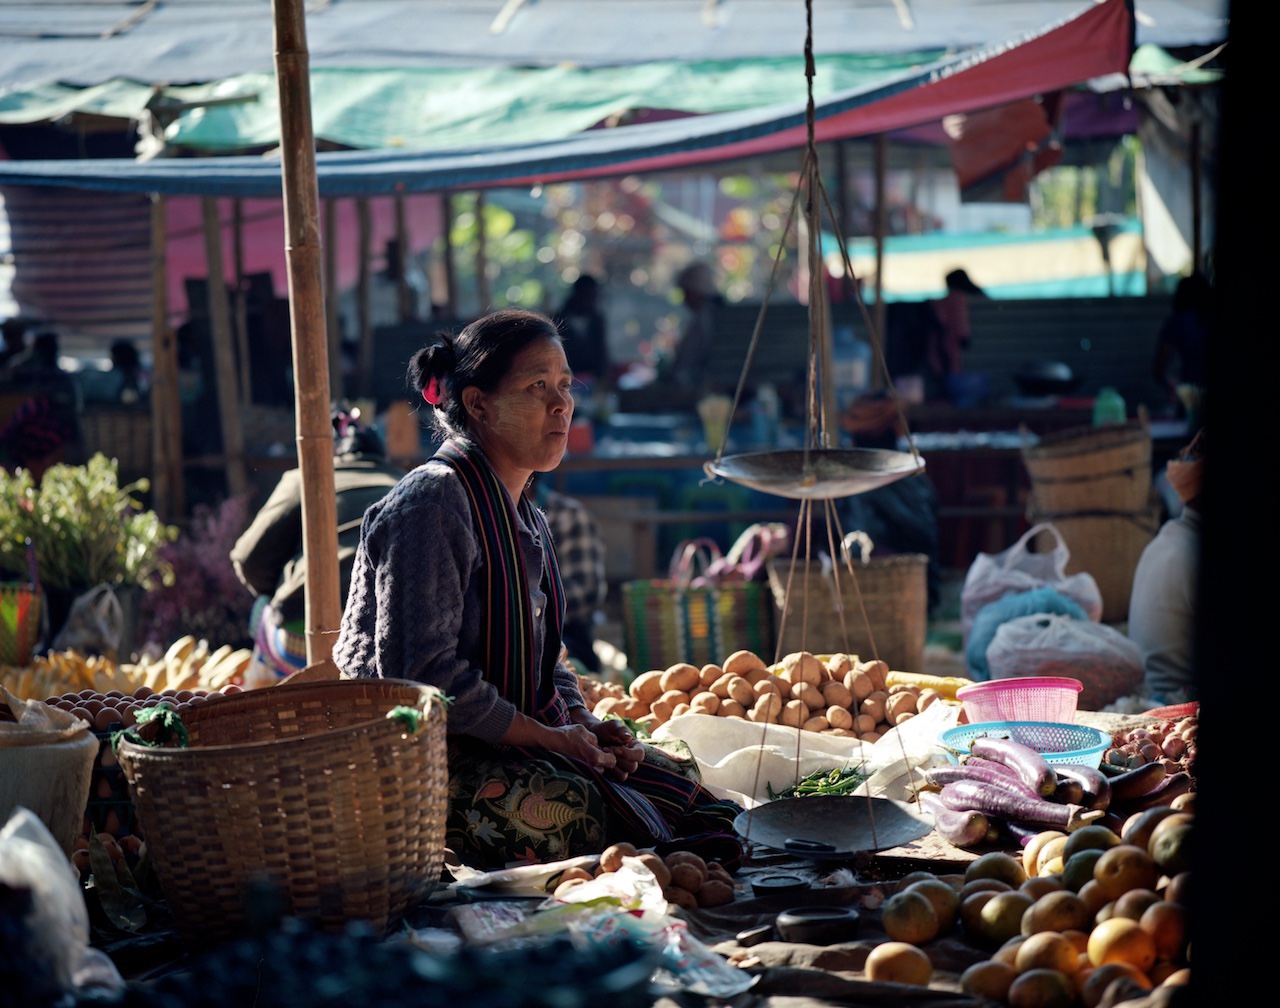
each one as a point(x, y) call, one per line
point(580, 553)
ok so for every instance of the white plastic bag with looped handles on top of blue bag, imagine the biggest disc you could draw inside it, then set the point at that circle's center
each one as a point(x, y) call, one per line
point(993, 576)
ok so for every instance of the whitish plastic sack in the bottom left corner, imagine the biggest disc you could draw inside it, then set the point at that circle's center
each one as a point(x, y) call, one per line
point(45, 956)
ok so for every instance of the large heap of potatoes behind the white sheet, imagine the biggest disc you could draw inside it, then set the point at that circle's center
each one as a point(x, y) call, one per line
point(836, 695)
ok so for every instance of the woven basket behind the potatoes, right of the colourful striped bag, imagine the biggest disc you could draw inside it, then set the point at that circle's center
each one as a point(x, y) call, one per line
point(879, 610)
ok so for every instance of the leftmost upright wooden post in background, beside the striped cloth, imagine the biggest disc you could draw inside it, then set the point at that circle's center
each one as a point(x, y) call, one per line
point(166, 407)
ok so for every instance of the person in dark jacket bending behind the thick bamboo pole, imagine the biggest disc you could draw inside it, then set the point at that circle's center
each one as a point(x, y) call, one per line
point(269, 558)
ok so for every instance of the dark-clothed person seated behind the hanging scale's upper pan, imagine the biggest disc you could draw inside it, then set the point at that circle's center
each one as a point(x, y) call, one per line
point(902, 516)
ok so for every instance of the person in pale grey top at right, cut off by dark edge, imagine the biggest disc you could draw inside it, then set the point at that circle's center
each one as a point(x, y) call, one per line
point(1163, 601)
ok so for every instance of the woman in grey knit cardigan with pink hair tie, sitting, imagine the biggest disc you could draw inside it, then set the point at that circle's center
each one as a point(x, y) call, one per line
point(455, 584)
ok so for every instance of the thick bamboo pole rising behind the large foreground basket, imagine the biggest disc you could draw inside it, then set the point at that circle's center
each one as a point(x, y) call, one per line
point(307, 319)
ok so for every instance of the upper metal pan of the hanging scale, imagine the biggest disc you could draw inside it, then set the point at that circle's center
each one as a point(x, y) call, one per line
point(824, 474)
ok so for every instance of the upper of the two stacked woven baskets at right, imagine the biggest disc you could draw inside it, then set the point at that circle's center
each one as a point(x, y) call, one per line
point(1091, 470)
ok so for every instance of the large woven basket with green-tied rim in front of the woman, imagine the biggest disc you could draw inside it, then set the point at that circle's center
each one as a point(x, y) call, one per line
point(308, 787)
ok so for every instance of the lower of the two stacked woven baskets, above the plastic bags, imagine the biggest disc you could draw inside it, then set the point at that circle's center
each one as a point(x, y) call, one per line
point(1109, 548)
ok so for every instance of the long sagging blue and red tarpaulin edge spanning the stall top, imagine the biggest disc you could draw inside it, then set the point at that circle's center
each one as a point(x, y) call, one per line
point(1096, 40)
